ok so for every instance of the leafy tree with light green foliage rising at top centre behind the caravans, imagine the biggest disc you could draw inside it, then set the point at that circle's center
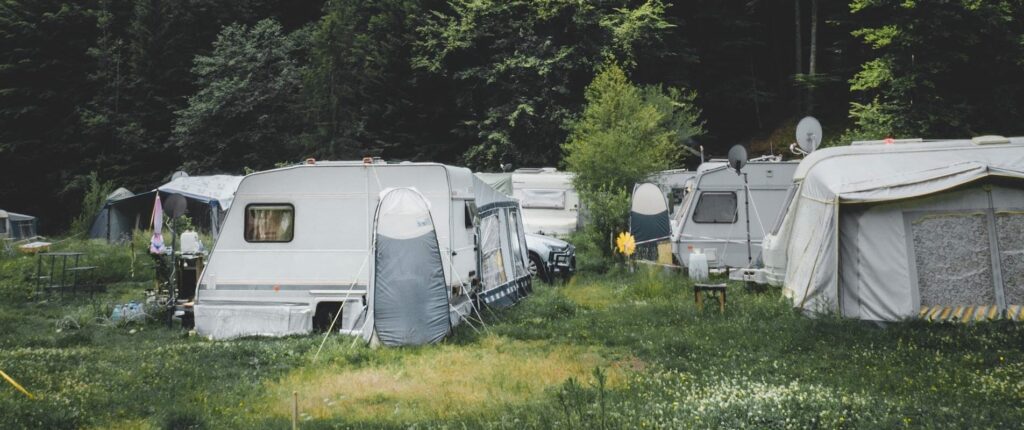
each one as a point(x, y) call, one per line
point(519, 68)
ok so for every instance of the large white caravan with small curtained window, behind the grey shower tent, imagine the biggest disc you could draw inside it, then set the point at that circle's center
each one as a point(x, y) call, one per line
point(297, 246)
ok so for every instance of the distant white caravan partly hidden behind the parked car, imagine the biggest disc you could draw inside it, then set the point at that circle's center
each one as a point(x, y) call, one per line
point(550, 204)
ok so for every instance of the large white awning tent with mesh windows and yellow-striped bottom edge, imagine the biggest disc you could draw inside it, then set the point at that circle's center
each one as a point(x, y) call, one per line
point(879, 232)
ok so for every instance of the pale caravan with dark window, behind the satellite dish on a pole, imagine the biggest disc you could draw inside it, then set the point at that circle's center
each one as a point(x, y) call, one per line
point(713, 219)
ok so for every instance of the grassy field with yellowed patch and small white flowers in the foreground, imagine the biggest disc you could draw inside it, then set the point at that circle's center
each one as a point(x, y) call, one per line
point(617, 351)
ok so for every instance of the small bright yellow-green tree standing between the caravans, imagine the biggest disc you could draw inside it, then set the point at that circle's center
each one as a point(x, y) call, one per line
point(626, 134)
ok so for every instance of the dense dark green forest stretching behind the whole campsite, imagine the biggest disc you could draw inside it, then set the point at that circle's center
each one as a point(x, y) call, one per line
point(126, 93)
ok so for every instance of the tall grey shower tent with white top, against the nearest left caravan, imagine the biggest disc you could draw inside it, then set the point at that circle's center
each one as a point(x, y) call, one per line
point(408, 302)
